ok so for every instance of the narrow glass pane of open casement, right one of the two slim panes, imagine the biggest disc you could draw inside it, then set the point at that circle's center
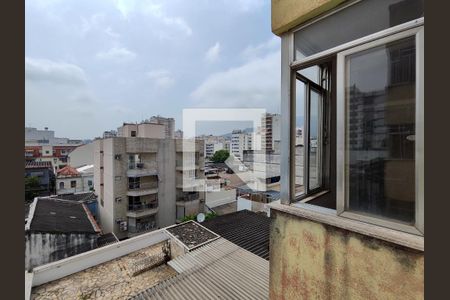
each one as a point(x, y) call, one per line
point(315, 147)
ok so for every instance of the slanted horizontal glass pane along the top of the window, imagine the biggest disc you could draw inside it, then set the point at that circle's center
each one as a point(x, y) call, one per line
point(356, 21)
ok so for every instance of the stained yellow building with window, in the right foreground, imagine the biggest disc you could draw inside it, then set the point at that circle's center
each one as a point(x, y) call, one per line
point(352, 75)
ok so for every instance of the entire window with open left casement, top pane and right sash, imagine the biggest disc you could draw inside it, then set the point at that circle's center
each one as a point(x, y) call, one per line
point(355, 100)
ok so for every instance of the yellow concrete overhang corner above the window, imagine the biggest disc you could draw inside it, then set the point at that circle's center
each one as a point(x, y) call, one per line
point(287, 14)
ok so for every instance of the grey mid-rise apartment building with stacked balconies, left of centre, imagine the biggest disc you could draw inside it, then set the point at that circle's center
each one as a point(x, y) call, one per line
point(140, 183)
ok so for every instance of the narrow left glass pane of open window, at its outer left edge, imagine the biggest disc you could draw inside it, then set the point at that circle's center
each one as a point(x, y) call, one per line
point(299, 126)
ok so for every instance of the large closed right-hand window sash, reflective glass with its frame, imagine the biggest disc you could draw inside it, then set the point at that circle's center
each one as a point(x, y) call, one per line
point(380, 113)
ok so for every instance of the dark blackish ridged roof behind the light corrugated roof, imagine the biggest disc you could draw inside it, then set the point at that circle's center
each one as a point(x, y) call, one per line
point(245, 228)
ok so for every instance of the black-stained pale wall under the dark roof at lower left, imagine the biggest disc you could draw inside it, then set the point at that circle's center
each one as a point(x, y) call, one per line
point(43, 248)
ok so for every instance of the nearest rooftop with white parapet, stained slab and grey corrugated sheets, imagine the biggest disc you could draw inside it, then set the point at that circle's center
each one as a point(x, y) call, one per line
point(154, 266)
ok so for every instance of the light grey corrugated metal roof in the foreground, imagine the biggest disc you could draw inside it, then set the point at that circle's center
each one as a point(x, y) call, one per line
point(218, 270)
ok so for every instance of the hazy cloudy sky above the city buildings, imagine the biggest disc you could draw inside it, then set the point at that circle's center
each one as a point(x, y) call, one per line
point(91, 65)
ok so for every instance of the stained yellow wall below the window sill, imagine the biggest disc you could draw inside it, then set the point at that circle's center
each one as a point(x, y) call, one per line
point(310, 260)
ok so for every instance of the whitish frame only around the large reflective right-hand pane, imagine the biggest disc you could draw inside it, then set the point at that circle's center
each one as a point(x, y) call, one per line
point(342, 154)
